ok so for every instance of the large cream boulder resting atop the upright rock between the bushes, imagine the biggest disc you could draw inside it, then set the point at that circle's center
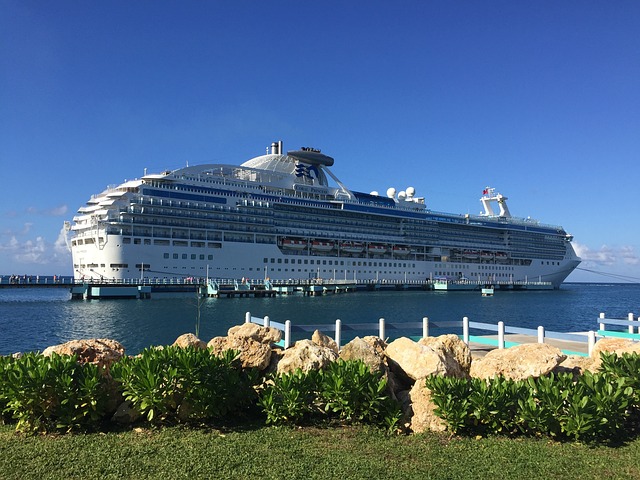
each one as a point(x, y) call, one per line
point(419, 361)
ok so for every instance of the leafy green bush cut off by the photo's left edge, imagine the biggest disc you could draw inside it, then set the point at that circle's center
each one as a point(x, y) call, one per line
point(52, 393)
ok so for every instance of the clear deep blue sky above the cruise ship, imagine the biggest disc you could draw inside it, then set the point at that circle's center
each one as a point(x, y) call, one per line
point(540, 100)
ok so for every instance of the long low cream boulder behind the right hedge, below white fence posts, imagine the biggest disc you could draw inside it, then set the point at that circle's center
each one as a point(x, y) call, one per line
point(519, 362)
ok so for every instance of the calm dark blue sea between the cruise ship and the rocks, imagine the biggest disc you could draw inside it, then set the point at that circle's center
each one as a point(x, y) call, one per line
point(34, 318)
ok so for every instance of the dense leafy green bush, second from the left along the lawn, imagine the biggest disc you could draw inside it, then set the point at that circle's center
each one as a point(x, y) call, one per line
point(184, 384)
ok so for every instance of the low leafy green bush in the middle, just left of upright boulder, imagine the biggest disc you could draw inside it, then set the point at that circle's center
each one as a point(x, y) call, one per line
point(346, 391)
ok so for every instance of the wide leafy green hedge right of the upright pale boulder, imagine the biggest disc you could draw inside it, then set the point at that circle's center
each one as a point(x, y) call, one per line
point(593, 407)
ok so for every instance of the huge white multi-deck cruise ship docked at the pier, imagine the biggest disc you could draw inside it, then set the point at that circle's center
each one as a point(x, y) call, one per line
point(285, 216)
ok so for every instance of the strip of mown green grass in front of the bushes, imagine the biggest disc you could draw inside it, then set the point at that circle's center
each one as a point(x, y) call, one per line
point(342, 453)
